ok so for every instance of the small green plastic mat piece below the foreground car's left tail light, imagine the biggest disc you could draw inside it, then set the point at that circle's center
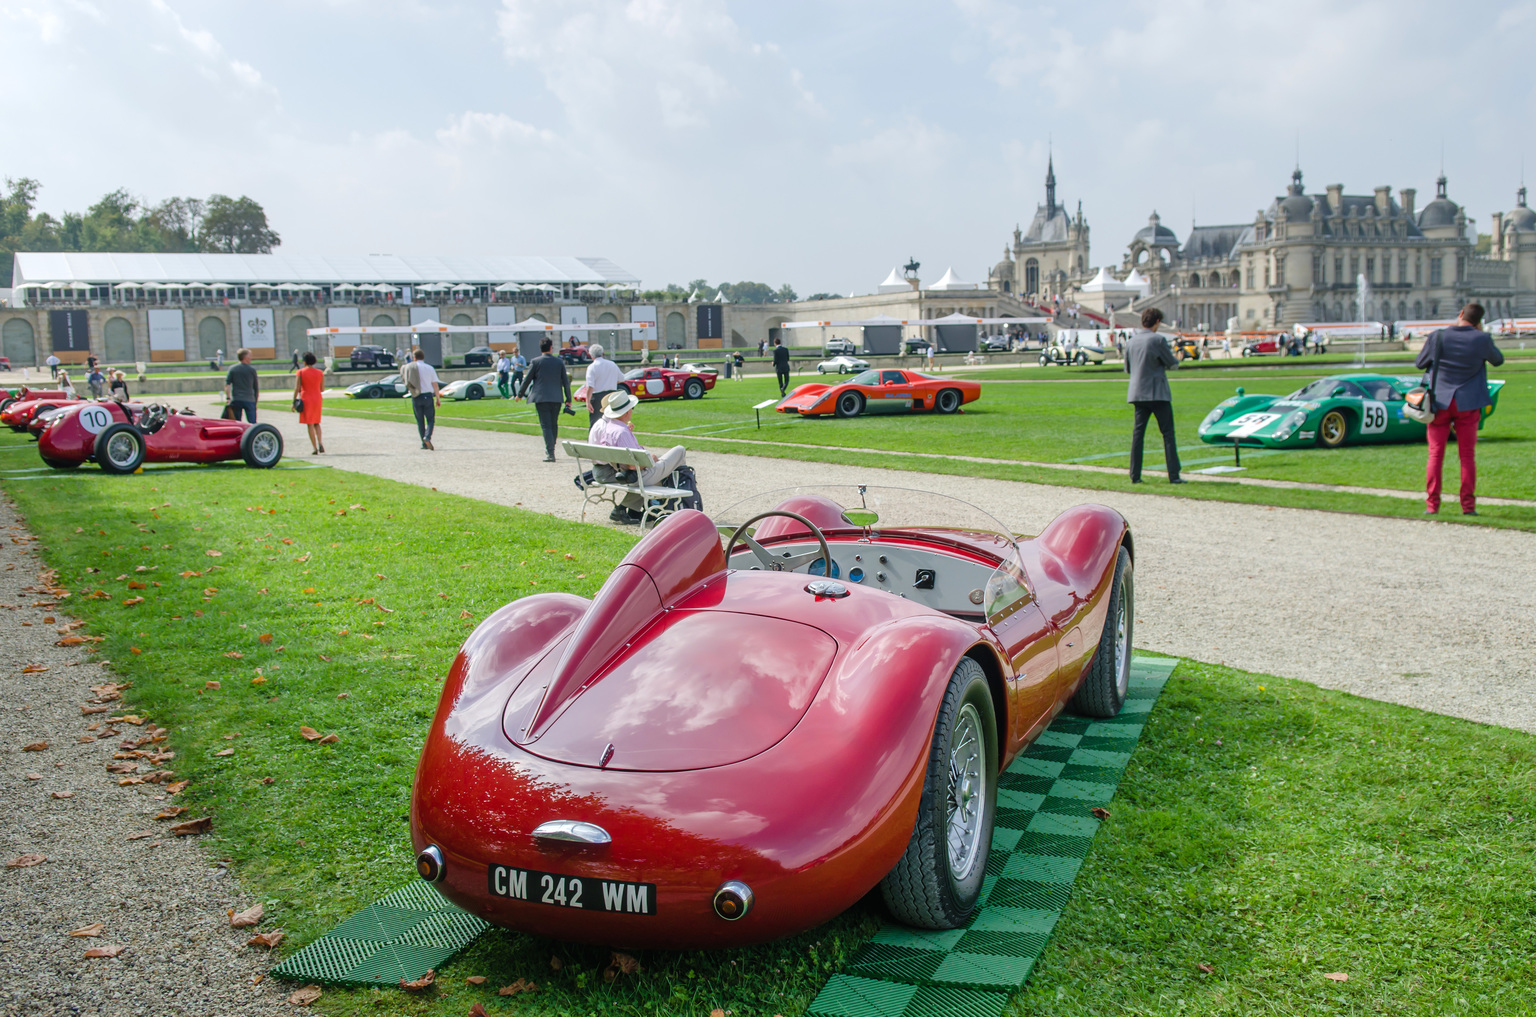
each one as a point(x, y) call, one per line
point(403, 936)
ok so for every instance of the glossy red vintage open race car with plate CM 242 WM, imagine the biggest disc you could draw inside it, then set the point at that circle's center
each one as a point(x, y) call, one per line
point(730, 746)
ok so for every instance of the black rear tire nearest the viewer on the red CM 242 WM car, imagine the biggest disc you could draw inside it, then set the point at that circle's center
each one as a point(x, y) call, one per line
point(924, 890)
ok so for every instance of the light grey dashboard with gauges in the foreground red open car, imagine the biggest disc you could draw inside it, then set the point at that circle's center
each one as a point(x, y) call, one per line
point(933, 578)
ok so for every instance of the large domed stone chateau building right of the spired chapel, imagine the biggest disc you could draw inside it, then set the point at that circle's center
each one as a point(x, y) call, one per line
point(1305, 256)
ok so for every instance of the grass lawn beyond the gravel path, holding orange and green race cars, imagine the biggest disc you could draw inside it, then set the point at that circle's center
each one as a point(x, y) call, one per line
point(1067, 417)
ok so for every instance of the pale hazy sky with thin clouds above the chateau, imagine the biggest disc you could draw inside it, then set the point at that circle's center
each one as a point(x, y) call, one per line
point(784, 142)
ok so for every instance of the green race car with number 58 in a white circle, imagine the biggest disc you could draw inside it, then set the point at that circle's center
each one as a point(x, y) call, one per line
point(1331, 412)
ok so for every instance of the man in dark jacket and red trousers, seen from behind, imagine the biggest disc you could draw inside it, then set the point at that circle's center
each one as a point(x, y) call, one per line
point(1460, 357)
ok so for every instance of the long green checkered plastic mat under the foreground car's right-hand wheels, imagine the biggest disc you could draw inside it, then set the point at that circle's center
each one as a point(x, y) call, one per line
point(1045, 827)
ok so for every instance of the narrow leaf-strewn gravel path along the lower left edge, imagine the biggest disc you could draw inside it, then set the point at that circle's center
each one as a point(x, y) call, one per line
point(162, 898)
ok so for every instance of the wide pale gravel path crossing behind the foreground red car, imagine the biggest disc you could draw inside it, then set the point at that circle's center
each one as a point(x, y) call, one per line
point(1328, 598)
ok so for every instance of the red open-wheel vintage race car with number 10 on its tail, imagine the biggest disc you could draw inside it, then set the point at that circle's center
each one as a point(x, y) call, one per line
point(121, 437)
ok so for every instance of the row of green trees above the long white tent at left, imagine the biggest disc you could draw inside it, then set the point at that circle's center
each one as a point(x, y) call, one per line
point(121, 222)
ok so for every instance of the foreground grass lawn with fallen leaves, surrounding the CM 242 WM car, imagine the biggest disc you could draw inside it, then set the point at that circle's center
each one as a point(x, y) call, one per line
point(1266, 829)
